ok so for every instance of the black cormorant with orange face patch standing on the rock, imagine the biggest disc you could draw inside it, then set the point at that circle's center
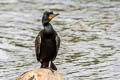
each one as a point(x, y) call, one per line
point(47, 42)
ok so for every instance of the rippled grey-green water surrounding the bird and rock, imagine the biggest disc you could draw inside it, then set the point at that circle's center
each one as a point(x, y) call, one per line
point(89, 31)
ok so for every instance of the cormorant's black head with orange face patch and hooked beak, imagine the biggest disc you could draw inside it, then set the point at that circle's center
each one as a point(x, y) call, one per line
point(48, 16)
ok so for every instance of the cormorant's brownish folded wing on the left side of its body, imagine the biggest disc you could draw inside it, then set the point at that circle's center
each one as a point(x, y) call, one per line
point(37, 46)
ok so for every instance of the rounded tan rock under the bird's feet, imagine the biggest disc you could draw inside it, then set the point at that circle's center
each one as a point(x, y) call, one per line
point(40, 74)
